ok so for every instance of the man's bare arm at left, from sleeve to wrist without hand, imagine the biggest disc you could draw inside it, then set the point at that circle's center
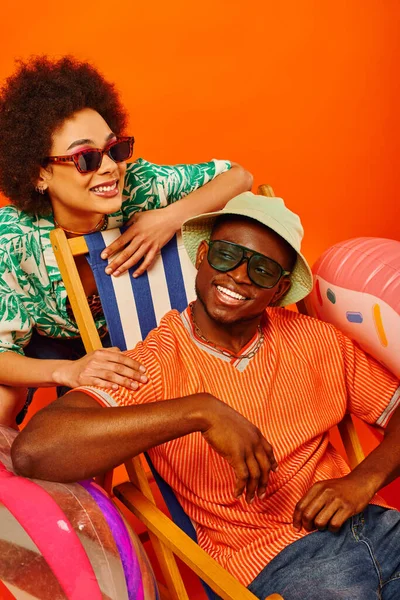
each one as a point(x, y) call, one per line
point(75, 438)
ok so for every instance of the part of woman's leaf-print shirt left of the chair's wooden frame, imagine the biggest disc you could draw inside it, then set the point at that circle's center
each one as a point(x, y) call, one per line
point(32, 294)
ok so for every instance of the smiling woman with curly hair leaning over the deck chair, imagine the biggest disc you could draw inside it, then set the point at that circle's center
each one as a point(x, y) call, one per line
point(63, 153)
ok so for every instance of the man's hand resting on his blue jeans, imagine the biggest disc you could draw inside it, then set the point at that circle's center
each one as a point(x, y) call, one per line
point(328, 504)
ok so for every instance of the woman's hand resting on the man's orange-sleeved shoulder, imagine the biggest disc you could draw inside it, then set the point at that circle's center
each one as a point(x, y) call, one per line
point(108, 368)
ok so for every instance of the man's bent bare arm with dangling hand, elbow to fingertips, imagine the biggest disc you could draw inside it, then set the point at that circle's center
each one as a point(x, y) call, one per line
point(75, 438)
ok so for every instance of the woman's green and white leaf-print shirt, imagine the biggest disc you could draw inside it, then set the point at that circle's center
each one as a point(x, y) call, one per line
point(32, 294)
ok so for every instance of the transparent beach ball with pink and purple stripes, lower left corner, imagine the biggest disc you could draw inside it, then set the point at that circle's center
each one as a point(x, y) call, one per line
point(65, 541)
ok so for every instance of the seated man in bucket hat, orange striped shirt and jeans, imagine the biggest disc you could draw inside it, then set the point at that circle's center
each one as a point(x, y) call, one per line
point(236, 415)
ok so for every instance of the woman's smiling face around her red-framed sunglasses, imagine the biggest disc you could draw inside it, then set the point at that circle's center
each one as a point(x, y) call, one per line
point(79, 199)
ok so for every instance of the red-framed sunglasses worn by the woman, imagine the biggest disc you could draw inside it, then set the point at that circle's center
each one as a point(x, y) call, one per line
point(87, 161)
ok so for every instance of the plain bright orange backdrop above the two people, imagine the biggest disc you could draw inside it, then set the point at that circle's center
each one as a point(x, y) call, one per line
point(303, 93)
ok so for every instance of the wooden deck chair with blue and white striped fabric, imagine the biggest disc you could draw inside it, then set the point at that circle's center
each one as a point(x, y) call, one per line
point(167, 537)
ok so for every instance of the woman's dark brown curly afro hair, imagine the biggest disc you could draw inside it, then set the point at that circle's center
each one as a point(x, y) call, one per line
point(34, 102)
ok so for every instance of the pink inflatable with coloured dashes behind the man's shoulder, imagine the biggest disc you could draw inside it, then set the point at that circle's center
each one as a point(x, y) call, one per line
point(357, 288)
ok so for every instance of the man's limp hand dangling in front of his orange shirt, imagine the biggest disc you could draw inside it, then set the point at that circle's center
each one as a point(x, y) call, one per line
point(244, 447)
